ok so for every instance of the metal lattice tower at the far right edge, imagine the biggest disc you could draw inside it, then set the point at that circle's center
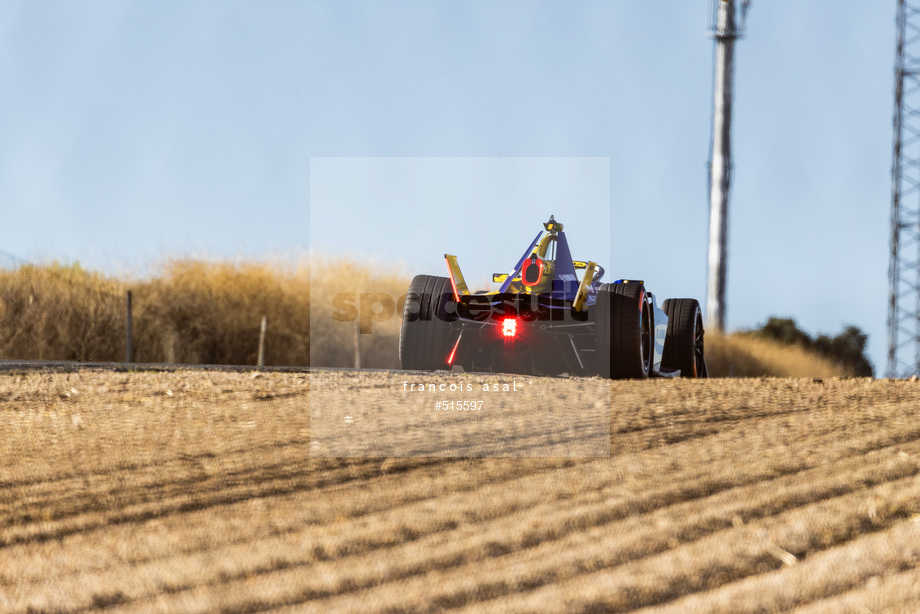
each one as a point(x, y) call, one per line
point(904, 265)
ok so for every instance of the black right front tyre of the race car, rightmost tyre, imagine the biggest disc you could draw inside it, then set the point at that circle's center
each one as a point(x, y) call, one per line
point(683, 345)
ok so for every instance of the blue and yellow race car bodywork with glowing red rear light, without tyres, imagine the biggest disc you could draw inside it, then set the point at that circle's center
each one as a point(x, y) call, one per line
point(543, 317)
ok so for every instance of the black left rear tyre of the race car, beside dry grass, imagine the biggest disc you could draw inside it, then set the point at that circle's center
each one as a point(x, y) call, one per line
point(425, 339)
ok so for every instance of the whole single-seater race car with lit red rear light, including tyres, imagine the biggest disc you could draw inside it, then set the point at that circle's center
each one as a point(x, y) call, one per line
point(545, 320)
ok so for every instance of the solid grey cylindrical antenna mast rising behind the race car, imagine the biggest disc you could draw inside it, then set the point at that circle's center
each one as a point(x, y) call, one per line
point(725, 28)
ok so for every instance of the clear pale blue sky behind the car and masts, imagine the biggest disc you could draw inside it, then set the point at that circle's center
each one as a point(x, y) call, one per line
point(130, 131)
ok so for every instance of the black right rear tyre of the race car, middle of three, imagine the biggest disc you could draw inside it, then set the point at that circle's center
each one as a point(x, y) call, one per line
point(623, 324)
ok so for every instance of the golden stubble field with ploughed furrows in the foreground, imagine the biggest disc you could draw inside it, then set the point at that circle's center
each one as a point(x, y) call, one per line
point(197, 491)
